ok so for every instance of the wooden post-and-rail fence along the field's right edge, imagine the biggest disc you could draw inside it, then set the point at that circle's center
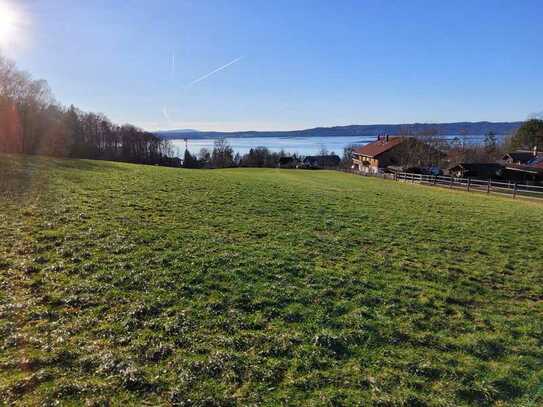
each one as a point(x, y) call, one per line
point(467, 184)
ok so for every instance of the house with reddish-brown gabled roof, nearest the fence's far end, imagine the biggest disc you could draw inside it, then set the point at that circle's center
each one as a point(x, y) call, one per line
point(375, 157)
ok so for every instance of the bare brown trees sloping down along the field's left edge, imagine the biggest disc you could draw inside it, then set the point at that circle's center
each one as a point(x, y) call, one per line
point(33, 122)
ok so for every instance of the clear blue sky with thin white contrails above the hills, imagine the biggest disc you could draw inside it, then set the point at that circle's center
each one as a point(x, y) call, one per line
point(293, 64)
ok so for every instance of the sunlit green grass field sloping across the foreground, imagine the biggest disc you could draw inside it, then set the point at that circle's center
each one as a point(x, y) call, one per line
point(133, 284)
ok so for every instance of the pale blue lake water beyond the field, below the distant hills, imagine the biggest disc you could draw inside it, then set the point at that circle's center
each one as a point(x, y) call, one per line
point(298, 145)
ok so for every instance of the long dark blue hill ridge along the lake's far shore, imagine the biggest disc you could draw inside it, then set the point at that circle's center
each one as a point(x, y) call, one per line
point(370, 130)
